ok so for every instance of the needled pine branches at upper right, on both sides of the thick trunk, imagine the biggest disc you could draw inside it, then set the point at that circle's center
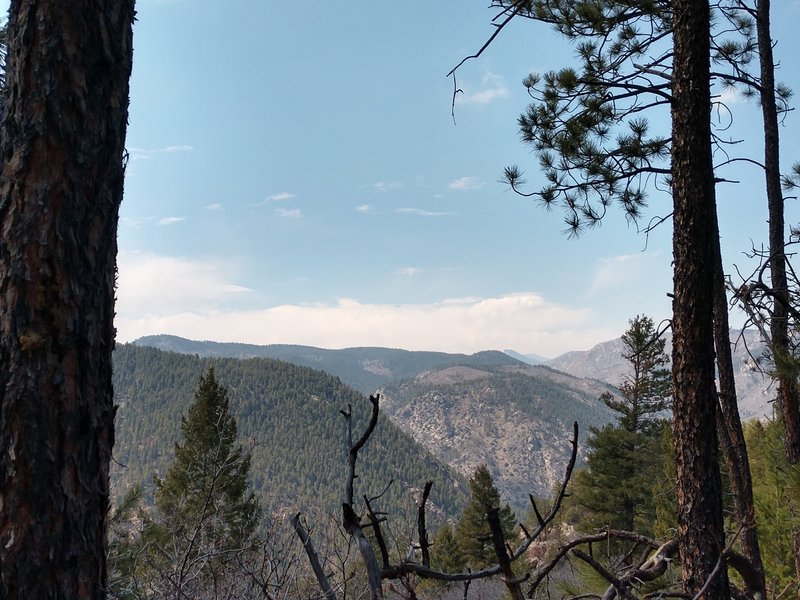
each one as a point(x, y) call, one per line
point(590, 124)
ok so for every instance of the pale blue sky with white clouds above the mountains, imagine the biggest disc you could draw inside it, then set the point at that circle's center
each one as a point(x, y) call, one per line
point(295, 176)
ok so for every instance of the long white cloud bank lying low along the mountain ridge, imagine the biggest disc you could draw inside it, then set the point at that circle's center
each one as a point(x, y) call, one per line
point(523, 321)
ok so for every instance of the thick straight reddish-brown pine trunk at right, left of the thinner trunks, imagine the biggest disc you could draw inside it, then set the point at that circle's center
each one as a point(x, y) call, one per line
point(700, 524)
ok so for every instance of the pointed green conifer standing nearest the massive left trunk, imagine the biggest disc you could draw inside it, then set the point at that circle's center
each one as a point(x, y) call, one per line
point(205, 509)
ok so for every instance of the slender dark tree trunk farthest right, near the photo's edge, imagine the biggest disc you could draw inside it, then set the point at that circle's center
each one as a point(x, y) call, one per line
point(779, 325)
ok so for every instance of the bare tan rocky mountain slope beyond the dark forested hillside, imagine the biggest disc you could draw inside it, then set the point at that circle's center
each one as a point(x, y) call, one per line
point(517, 420)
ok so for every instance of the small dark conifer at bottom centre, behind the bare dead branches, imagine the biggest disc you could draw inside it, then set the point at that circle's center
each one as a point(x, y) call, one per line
point(472, 534)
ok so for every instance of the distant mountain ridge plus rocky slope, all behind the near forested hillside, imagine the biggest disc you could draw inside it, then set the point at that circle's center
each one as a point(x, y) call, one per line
point(486, 408)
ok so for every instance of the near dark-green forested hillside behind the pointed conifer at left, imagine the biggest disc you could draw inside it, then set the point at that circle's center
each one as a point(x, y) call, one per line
point(290, 414)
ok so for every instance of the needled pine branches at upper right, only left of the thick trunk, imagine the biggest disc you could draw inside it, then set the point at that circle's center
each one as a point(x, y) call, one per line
point(586, 124)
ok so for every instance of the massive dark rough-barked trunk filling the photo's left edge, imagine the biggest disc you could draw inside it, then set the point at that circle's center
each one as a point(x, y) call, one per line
point(63, 136)
